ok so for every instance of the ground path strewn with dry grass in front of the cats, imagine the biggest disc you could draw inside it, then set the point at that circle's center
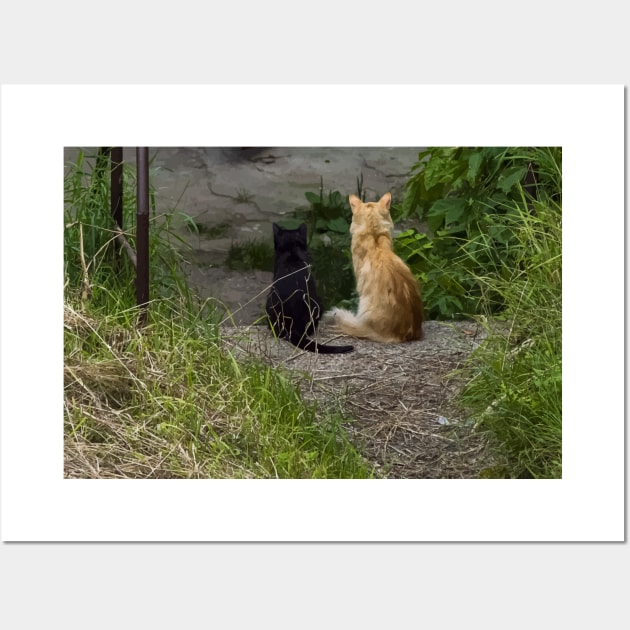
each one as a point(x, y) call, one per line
point(397, 395)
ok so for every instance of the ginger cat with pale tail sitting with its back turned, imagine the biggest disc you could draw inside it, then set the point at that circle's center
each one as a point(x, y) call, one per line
point(390, 306)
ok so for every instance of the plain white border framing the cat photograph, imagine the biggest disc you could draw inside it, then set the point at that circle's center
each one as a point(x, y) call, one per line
point(38, 121)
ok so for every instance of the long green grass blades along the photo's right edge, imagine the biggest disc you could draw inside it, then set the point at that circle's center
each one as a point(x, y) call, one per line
point(514, 388)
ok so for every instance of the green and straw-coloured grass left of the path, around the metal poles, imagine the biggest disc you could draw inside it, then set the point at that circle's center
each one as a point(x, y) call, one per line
point(167, 400)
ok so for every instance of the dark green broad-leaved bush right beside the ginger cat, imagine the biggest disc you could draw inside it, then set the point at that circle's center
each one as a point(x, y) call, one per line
point(471, 200)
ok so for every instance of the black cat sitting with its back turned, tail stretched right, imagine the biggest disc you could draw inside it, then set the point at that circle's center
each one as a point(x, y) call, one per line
point(293, 307)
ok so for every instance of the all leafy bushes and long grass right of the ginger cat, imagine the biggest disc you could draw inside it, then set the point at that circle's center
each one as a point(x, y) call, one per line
point(493, 251)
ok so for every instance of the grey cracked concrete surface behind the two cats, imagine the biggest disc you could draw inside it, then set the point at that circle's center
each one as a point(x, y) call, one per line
point(235, 194)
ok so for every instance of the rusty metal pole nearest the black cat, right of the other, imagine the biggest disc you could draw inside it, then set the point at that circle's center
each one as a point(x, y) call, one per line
point(142, 231)
